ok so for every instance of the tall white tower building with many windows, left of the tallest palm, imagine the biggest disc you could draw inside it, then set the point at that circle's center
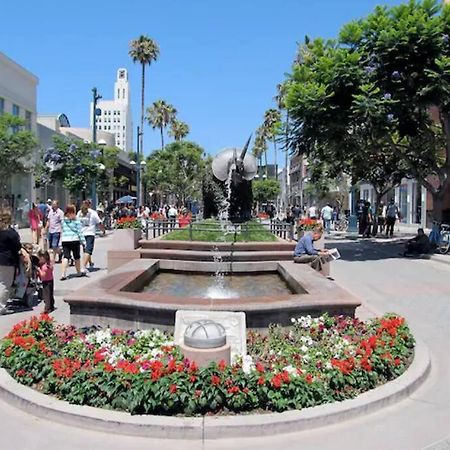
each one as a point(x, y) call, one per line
point(115, 115)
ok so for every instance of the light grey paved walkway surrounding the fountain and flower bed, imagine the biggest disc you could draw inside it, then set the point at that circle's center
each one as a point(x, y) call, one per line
point(418, 289)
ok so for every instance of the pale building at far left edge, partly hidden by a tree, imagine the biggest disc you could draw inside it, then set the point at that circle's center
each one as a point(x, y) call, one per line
point(18, 97)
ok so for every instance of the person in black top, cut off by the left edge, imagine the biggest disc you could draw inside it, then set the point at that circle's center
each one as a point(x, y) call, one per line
point(9, 258)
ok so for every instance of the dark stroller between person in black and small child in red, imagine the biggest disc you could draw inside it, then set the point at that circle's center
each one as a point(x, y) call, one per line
point(27, 285)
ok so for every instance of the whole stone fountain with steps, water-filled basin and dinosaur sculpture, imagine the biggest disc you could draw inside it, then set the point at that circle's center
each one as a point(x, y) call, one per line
point(149, 285)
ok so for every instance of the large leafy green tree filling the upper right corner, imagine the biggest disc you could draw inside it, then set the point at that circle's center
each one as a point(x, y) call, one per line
point(381, 90)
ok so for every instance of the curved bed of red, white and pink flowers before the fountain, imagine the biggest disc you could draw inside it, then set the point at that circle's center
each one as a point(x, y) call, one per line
point(316, 361)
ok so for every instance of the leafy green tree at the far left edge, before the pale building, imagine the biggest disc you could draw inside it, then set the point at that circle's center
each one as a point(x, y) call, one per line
point(16, 148)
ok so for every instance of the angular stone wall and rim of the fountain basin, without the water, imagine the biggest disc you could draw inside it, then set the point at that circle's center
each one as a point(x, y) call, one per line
point(115, 300)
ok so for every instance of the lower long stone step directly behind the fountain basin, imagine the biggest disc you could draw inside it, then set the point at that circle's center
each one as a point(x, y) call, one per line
point(195, 255)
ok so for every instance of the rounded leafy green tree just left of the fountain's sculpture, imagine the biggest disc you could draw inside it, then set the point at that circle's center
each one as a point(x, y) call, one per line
point(178, 169)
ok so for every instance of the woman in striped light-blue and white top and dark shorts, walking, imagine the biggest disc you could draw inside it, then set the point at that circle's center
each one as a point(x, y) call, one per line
point(71, 238)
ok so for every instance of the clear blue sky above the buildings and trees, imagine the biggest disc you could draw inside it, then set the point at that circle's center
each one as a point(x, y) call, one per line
point(219, 65)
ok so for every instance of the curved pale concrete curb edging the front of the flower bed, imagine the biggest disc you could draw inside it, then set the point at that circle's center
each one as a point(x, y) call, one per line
point(216, 427)
